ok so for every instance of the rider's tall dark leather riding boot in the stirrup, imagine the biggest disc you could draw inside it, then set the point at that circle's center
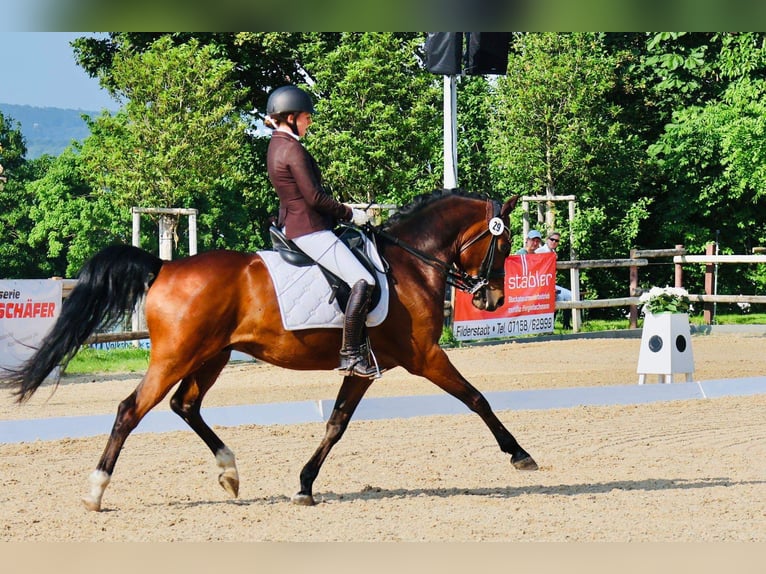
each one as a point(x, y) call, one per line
point(353, 361)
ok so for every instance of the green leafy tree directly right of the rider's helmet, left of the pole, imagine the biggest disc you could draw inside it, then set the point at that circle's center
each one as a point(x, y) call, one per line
point(377, 131)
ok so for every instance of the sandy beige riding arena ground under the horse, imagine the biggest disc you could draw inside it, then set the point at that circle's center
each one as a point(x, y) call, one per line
point(673, 471)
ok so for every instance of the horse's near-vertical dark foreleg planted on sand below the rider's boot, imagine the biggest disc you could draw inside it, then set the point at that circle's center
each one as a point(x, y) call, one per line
point(351, 392)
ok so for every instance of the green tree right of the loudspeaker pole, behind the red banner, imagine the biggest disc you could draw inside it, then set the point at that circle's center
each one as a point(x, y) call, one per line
point(557, 131)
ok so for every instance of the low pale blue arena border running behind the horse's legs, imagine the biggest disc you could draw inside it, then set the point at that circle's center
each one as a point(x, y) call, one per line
point(377, 408)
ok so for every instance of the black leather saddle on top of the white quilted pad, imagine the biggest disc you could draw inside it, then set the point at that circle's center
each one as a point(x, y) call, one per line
point(353, 237)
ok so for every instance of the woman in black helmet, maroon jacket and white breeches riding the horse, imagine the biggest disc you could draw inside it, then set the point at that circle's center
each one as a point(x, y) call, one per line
point(308, 214)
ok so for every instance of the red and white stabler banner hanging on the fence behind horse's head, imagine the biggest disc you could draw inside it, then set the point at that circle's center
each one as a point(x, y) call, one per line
point(530, 302)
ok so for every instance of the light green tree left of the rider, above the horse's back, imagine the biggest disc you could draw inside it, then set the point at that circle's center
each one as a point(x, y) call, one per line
point(175, 142)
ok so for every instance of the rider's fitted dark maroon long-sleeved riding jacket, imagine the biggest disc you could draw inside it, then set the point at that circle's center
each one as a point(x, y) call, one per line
point(304, 205)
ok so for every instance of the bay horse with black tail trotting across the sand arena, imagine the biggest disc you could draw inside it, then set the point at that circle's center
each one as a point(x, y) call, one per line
point(200, 308)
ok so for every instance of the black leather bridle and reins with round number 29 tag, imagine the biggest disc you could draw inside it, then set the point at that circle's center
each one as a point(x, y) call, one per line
point(458, 278)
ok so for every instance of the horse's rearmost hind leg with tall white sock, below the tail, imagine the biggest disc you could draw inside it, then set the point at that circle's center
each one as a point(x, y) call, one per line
point(153, 387)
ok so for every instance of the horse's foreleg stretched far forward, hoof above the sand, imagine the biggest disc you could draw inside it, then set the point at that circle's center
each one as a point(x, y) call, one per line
point(443, 373)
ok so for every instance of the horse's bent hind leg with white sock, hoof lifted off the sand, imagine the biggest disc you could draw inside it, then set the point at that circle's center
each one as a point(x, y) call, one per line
point(187, 401)
